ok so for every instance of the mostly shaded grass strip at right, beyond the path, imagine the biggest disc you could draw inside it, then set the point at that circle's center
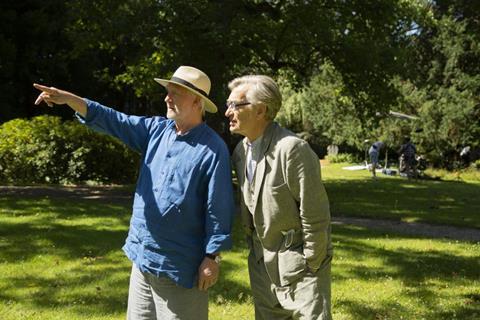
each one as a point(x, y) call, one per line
point(354, 193)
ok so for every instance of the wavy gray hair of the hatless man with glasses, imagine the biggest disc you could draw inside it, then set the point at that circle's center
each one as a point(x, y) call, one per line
point(260, 89)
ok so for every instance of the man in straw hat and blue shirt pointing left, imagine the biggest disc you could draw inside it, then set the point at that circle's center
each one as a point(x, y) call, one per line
point(183, 206)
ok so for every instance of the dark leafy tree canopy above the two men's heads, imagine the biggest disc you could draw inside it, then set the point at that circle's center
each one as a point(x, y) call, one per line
point(111, 50)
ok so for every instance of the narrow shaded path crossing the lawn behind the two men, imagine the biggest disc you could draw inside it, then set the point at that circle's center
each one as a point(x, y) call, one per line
point(124, 196)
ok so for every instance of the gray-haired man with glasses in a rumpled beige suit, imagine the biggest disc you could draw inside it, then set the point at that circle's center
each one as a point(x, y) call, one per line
point(284, 207)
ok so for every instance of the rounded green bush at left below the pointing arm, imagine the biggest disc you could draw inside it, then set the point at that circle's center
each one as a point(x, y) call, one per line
point(46, 150)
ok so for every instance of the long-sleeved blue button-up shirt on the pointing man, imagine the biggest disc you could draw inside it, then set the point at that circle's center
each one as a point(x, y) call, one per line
point(183, 205)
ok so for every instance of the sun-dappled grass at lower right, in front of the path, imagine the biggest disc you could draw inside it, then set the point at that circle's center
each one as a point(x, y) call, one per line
point(376, 276)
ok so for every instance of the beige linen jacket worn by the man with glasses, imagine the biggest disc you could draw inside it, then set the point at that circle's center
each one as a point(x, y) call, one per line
point(291, 213)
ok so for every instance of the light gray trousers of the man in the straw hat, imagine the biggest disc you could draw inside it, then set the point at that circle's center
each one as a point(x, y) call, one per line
point(159, 298)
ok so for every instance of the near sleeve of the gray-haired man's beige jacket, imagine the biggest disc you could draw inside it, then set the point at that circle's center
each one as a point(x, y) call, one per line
point(304, 181)
